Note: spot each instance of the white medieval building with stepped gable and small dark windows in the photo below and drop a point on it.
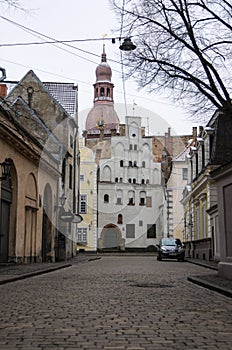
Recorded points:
(131, 197)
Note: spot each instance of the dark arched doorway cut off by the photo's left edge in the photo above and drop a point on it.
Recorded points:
(5, 207)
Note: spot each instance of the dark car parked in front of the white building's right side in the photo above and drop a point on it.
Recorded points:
(170, 248)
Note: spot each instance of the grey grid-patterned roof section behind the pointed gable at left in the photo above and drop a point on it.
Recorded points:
(65, 94)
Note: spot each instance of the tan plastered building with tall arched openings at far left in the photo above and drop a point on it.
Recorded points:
(28, 233)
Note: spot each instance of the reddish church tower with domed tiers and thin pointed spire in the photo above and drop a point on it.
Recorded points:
(102, 118)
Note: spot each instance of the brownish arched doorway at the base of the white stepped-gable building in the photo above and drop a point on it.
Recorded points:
(111, 237)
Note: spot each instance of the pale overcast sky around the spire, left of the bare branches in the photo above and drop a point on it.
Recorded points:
(76, 20)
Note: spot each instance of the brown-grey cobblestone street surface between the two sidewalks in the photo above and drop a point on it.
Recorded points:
(115, 303)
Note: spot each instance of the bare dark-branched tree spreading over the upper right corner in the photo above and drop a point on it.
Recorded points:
(184, 47)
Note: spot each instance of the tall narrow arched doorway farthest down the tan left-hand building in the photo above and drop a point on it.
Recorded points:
(47, 225)
